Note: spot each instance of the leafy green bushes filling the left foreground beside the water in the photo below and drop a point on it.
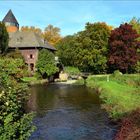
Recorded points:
(14, 122)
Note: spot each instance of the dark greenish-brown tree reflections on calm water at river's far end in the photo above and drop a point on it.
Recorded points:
(44, 98)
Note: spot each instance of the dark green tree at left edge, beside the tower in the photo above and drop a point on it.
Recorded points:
(4, 38)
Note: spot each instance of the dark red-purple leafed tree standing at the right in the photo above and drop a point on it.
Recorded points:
(123, 48)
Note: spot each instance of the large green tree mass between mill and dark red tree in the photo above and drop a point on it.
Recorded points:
(87, 49)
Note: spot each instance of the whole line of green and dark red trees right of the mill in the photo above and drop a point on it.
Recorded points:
(101, 49)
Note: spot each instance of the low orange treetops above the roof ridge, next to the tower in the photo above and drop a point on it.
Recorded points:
(33, 29)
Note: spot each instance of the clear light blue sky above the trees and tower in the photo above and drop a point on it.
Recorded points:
(69, 15)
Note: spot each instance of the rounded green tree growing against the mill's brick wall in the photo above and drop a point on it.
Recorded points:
(46, 63)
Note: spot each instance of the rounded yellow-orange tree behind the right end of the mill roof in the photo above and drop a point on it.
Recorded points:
(52, 34)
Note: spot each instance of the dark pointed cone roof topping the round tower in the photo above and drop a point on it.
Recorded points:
(10, 18)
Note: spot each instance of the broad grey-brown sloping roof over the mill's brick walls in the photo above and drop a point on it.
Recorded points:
(27, 39)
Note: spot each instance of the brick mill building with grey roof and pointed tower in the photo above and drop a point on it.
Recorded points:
(27, 42)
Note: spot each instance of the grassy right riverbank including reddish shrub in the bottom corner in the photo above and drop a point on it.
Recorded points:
(121, 99)
